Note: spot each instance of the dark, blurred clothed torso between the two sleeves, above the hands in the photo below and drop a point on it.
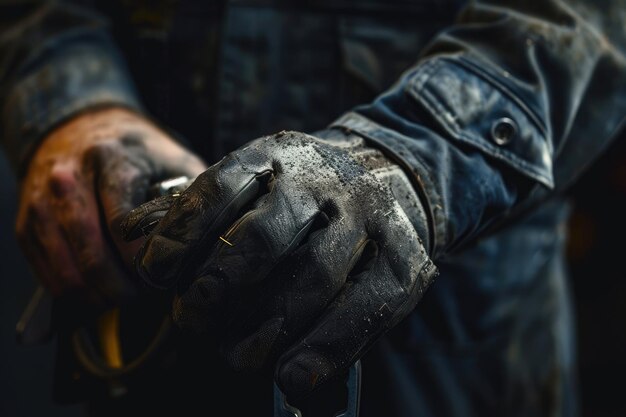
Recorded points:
(224, 73)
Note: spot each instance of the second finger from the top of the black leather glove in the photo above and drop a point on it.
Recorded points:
(245, 254)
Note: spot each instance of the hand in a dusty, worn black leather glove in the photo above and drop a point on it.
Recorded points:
(298, 250)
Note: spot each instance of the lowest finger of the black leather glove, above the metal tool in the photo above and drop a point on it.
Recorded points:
(367, 307)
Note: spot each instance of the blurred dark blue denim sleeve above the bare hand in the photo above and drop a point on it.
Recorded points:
(56, 60)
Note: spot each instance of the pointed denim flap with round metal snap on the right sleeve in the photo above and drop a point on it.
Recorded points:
(476, 107)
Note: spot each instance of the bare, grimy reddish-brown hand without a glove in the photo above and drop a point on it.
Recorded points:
(83, 179)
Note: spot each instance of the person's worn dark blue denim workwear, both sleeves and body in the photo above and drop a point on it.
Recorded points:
(493, 107)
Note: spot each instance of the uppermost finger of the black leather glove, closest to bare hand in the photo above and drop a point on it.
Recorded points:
(200, 215)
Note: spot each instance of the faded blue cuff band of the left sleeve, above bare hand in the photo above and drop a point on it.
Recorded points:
(58, 85)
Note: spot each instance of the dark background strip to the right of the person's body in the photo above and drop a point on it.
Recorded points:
(598, 268)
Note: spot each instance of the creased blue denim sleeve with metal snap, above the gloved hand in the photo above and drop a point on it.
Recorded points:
(502, 111)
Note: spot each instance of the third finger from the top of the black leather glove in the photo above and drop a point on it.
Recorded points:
(303, 287)
